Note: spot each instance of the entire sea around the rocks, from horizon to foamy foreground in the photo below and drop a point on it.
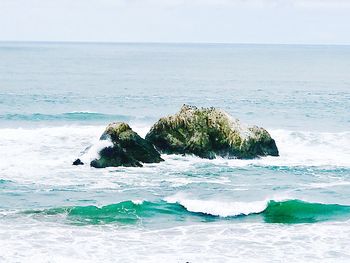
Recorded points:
(57, 98)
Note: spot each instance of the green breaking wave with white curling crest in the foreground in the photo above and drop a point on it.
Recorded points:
(131, 212)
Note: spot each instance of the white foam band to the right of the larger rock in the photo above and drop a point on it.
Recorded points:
(297, 148)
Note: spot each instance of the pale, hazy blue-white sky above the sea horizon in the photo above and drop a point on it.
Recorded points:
(208, 21)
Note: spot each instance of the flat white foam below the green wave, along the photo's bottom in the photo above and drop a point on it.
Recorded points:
(34, 241)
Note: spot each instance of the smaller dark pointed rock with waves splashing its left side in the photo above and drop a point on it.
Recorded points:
(127, 149)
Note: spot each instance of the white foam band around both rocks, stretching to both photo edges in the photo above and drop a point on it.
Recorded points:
(56, 147)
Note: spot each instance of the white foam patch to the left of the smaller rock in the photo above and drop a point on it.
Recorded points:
(32, 154)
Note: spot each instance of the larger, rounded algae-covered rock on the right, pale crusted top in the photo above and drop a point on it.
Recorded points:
(210, 132)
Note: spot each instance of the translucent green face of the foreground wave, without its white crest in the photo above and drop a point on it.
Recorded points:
(128, 212)
